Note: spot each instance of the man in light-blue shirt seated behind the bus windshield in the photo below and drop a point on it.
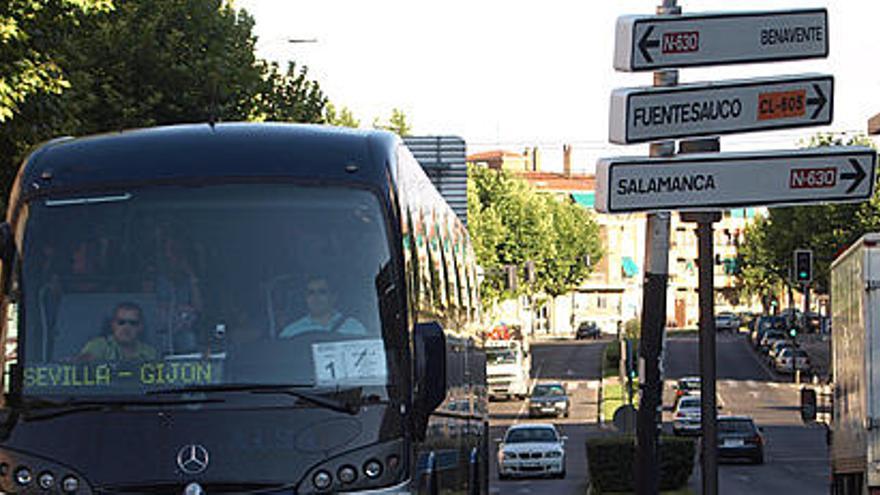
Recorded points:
(323, 316)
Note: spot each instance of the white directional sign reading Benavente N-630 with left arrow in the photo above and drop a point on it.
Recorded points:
(656, 42)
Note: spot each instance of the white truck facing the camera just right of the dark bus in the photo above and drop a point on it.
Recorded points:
(508, 366)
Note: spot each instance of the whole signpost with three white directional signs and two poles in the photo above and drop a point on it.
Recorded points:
(702, 183)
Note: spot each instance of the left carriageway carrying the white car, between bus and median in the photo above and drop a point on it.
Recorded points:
(577, 365)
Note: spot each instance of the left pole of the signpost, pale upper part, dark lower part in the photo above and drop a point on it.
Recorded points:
(653, 322)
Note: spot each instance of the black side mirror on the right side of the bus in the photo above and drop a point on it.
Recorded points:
(429, 349)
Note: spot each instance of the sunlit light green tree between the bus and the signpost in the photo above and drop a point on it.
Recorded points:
(511, 223)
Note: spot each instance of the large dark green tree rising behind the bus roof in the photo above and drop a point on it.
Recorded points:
(153, 62)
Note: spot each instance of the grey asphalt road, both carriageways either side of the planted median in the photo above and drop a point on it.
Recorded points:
(796, 456)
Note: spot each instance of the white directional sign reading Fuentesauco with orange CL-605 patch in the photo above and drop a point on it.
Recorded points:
(655, 113)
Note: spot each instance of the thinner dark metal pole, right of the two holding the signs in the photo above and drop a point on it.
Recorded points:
(708, 406)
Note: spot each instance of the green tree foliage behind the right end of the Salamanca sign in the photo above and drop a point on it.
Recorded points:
(826, 229)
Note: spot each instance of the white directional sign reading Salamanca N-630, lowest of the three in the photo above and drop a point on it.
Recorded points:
(735, 180)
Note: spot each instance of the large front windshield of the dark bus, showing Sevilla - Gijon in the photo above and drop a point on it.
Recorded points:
(177, 288)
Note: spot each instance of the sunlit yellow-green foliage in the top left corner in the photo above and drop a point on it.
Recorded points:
(28, 29)
